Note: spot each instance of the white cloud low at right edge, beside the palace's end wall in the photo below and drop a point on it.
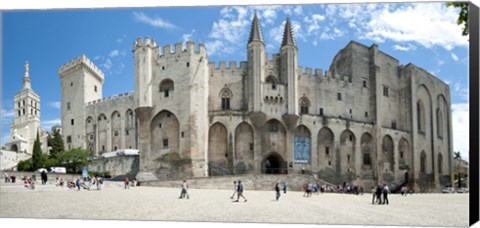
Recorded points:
(460, 125)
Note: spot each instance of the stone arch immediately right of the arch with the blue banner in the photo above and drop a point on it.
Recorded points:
(326, 147)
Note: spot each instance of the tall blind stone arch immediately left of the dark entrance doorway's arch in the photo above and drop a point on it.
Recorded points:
(244, 148)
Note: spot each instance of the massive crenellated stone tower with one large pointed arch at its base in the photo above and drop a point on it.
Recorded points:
(171, 92)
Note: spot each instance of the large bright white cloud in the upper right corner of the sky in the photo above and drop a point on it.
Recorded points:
(429, 24)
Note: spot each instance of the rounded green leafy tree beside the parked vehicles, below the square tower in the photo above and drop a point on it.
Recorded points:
(74, 160)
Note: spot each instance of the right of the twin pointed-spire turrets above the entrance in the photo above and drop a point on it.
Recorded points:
(288, 67)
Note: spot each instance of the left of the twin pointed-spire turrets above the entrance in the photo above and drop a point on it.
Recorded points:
(256, 65)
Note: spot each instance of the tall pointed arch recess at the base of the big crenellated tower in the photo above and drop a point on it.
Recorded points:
(164, 134)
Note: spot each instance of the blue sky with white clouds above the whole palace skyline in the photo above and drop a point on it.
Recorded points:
(422, 33)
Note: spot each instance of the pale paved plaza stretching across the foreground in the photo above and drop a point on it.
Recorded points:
(162, 204)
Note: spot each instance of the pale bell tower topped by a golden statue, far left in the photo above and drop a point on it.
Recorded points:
(26, 125)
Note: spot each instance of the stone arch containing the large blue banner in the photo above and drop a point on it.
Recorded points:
(302, 141)
